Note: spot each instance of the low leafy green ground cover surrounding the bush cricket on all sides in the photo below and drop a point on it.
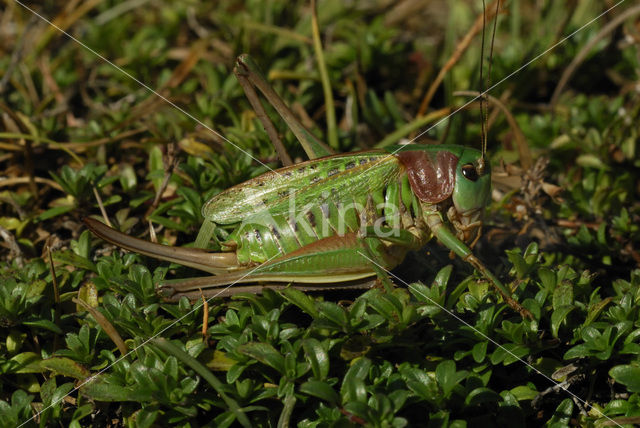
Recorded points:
(562, 229)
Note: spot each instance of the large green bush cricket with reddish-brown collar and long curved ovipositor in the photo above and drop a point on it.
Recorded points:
(334, 221)
